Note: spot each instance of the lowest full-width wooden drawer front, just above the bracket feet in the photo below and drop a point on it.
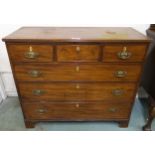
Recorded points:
(77, 111)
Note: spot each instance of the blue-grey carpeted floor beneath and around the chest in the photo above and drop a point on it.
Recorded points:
(11, 119)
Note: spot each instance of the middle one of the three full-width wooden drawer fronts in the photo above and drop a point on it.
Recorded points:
(77, 91)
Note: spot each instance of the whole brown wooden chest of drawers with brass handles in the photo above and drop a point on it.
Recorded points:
(76, 74)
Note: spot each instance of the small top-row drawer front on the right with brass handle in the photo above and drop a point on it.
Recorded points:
(124, 53)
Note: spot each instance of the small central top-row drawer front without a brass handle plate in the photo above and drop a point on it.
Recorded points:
(68, 53)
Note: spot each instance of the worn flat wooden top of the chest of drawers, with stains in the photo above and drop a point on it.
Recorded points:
(76, 34)
